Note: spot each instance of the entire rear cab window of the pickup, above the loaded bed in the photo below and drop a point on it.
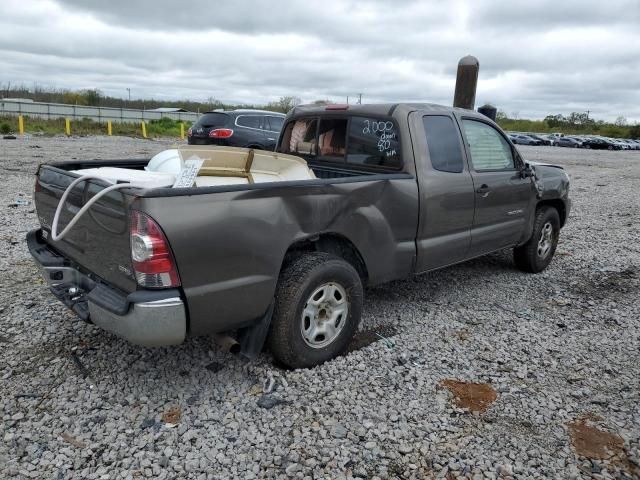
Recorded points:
(352, 140)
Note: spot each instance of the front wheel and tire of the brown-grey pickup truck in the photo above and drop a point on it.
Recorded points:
(535, 255)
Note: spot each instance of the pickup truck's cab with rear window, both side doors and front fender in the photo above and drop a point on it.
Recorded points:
(475, 193)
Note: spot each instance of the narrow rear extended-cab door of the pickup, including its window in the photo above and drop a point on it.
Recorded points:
(446, 191)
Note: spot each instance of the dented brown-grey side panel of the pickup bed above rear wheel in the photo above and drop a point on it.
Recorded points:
(229, 246)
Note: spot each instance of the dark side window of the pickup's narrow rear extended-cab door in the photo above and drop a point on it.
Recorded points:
(443, 143)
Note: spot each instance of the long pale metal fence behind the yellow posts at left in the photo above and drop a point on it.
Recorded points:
(99, 114)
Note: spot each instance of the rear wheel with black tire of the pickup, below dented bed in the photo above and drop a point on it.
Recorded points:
(317, 309)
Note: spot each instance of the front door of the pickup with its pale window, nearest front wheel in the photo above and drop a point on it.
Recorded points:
(502, 195)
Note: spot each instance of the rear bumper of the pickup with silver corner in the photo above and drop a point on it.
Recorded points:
(150, 317)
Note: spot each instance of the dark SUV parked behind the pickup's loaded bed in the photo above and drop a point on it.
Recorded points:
(237, 128)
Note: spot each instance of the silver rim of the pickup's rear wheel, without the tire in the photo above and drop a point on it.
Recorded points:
(324, 315)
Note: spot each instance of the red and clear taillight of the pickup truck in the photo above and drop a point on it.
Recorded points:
(151, 256)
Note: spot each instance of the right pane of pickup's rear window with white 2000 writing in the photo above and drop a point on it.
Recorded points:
(374, 142)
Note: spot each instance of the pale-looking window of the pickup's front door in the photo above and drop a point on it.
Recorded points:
(489, 150)
